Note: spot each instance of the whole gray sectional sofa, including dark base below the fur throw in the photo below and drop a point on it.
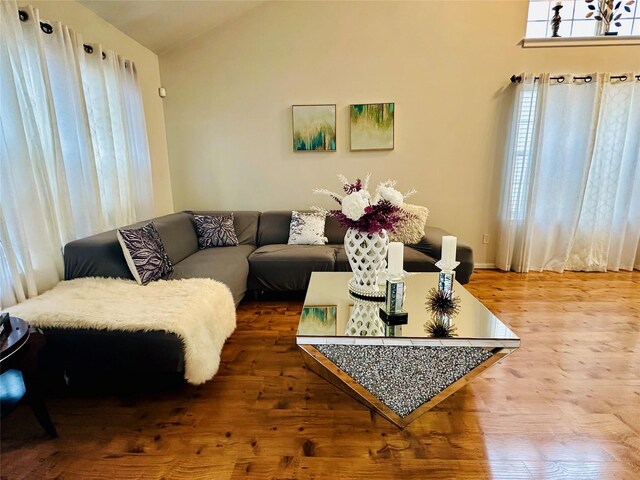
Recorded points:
(261, 262)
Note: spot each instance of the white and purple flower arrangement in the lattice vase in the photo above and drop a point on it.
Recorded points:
(362, 211)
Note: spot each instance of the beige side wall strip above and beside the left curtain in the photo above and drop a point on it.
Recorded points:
(96, 30)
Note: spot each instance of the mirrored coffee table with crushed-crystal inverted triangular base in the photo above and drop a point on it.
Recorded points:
(398, 371)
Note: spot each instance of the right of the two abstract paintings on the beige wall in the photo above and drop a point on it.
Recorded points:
(372, 126)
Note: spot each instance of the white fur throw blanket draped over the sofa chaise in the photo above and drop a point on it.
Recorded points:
(200, 311)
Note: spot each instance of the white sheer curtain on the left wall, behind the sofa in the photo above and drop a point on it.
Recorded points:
(74, 158)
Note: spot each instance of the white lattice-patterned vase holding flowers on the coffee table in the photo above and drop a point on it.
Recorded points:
(367, 254)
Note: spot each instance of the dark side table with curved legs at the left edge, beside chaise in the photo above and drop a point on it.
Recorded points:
(20, 352)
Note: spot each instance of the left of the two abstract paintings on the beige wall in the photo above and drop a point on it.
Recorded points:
(314, 127)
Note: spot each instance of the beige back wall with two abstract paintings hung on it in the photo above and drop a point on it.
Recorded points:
(446, 66)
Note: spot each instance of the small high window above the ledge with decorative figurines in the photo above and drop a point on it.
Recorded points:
(574, 21)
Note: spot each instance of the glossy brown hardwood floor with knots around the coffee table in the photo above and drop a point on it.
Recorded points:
(566, 405)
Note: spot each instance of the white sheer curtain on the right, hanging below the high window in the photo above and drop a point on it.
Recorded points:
(571, 197)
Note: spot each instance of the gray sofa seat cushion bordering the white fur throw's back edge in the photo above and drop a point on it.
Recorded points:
(228, 265)
